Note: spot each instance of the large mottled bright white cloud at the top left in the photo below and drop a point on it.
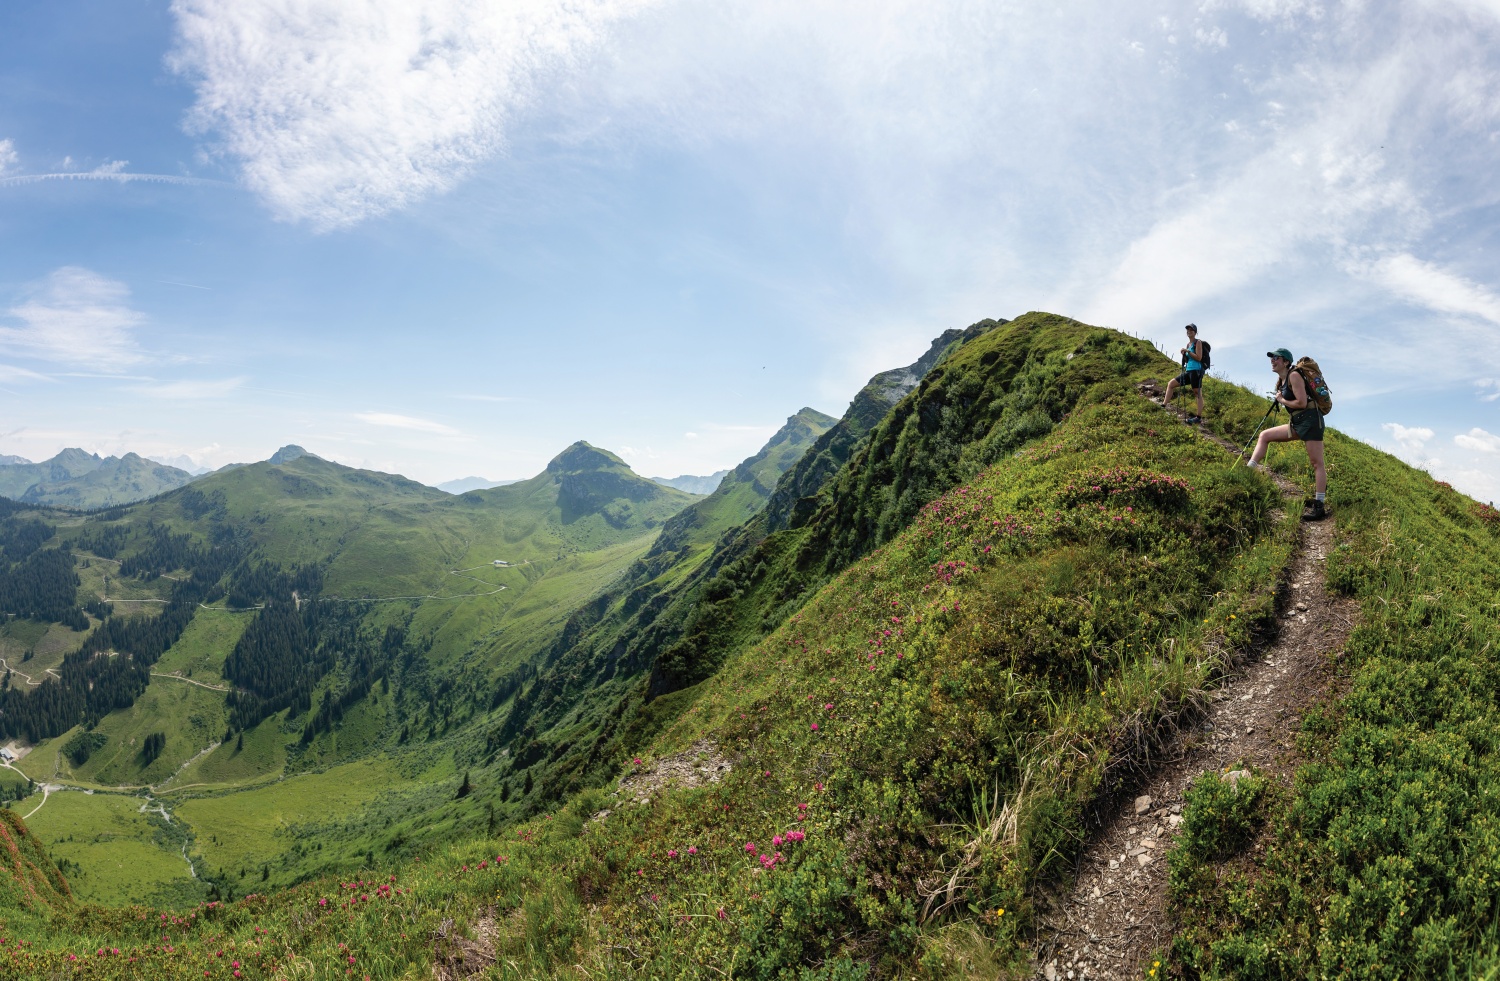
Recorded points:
(340, 110)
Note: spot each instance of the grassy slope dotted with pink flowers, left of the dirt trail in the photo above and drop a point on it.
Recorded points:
(904, 724)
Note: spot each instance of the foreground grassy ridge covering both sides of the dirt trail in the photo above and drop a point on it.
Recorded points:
(1042, 575)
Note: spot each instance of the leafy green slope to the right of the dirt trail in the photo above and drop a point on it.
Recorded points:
(1385, 862)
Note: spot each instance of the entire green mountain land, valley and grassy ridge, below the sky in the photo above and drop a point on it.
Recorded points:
(868, 710)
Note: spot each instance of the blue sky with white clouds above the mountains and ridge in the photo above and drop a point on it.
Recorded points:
(452, 238)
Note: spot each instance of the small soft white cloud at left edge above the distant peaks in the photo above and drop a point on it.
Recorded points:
(77, 319)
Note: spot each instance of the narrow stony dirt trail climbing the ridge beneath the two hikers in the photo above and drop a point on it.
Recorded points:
(1115, 914)
